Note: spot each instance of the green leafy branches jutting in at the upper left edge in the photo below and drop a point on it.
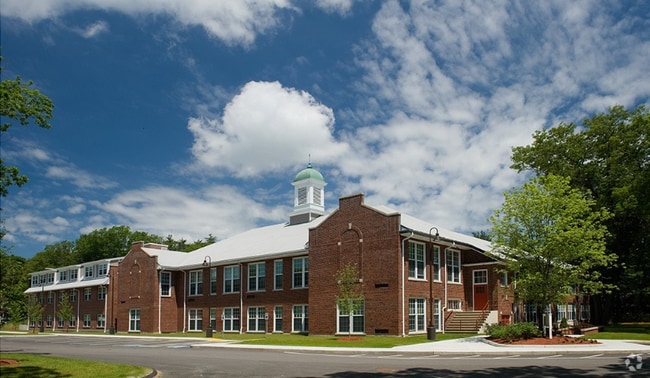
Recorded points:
(23, 104)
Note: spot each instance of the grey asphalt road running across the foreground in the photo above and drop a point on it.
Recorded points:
(177, 358)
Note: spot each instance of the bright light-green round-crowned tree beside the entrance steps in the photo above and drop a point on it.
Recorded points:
(549, 236)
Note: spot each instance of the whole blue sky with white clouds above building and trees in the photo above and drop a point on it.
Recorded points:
(192, 117)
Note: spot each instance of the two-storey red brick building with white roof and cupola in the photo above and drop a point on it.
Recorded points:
(280, 278)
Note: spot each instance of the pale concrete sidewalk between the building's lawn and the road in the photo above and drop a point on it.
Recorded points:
(466, 346)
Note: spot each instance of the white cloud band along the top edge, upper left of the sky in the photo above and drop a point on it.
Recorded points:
(233, 22)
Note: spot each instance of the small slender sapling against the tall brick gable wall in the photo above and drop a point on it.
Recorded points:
(350, 299)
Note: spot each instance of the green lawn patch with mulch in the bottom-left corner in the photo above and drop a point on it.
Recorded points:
(31, 365)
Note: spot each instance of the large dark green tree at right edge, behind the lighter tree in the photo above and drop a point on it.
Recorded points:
(609, 158)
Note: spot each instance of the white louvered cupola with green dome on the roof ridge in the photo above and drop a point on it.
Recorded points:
(309, 196)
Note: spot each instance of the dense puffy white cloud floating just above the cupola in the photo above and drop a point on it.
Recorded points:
(264, 129)
